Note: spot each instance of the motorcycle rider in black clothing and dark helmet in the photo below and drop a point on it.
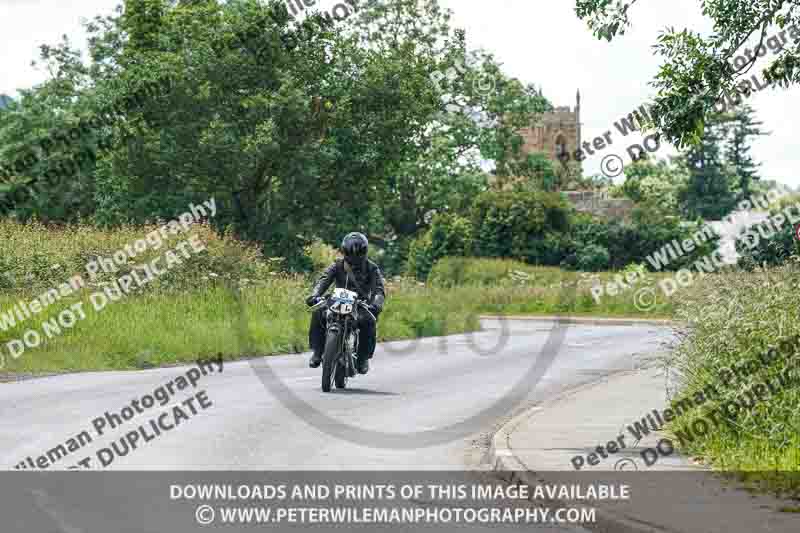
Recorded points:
(357, 273)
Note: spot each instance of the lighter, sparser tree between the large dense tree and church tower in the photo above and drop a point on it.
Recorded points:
(474, 110)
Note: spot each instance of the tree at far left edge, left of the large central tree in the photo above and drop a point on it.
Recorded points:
(46, 170)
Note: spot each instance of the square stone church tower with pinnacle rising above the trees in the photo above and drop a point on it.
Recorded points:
(558, 135)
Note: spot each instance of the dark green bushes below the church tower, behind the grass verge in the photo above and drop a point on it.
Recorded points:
(540, 228)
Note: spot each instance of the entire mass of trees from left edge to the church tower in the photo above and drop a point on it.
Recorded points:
(295, 142)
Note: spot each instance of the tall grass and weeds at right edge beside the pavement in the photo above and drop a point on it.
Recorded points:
(733, 319)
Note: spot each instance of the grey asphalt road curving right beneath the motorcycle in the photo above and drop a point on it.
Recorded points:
(270, 414)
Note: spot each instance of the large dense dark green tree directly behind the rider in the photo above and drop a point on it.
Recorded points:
(293, 142)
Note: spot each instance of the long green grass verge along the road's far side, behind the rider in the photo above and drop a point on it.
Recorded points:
(166, 327)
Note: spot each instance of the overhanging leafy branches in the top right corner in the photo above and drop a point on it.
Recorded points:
(697, 72)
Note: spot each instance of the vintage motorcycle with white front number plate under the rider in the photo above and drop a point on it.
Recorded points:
(341, 337)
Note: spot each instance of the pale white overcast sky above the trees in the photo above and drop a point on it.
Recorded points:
(540, 42)
